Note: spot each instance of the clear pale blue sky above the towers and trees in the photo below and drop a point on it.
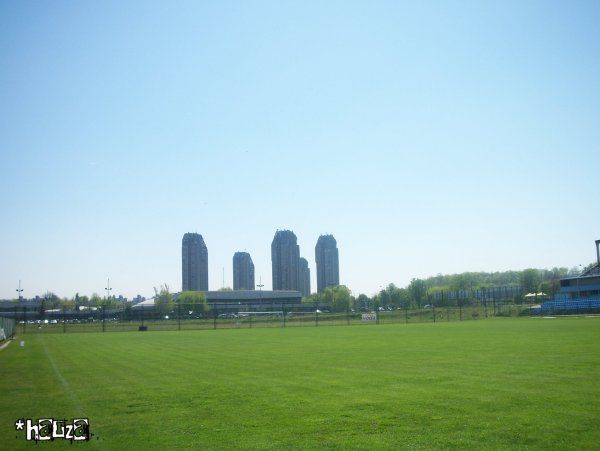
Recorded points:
(428, 137)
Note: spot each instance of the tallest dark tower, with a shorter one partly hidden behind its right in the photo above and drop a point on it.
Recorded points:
(285, 261)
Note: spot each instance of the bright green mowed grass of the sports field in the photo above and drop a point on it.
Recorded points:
(498, 383)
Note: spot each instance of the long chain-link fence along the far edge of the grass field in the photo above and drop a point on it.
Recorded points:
(215, 316)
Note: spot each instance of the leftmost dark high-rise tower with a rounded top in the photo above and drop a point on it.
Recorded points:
(194, 263)
